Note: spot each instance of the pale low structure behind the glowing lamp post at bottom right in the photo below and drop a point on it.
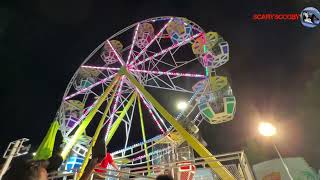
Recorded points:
(274, 170)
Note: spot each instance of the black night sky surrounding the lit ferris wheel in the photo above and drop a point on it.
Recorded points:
(42, 43)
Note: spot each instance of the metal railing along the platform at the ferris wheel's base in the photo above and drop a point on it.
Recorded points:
(236, 163)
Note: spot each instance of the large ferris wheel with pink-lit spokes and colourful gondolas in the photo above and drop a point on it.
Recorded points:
(125, 89)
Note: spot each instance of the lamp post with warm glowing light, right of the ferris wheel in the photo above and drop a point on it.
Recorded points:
(268, 130)
